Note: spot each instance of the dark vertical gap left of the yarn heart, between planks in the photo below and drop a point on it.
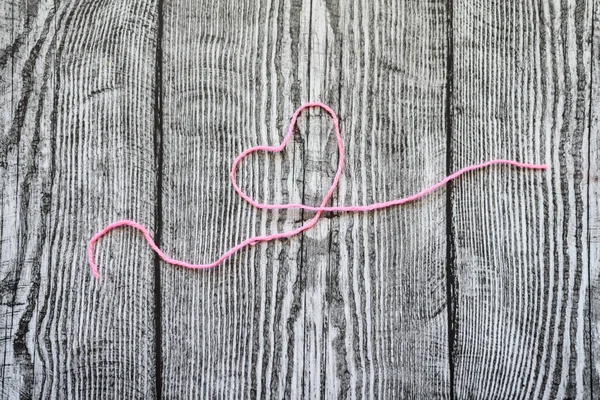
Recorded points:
(158, 154)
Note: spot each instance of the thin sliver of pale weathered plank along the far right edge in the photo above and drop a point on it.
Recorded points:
(593, 181)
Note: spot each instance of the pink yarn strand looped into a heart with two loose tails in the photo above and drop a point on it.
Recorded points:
(318, 210)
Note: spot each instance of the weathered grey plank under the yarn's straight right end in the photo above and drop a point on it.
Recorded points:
(521, 91)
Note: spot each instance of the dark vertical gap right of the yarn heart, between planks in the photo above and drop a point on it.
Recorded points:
(450, 250)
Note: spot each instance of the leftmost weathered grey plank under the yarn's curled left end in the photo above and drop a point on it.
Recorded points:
(76, 152)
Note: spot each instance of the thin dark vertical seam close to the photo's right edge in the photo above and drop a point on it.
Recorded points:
(589, 230)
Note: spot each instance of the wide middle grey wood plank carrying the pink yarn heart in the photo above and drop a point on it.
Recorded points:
(355, 307)
